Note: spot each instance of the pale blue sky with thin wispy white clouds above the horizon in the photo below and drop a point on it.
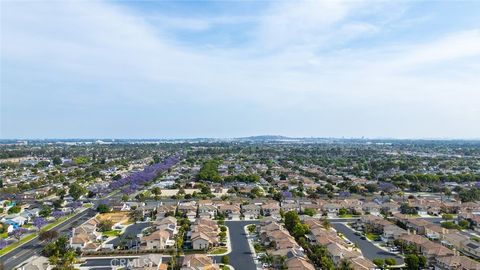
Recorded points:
(160, 69)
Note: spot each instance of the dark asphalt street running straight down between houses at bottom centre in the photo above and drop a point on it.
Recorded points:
(240, 256)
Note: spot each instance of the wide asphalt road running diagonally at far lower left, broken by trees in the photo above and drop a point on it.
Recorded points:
(34, 247)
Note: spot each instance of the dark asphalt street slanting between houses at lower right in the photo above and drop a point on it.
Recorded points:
(369, 250)
